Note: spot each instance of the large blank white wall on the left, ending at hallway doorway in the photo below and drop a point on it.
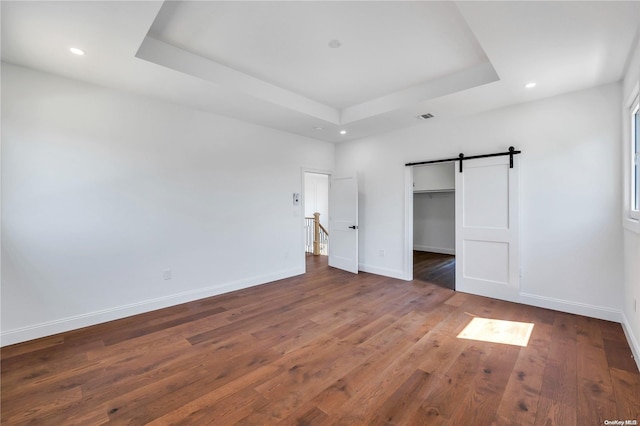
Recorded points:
(103, 191)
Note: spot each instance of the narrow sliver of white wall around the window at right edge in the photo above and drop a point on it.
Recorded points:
(631, 230)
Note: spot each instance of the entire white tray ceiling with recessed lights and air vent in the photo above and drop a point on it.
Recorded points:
(270, 62)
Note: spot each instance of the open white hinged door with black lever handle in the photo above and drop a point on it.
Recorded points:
(343, 223)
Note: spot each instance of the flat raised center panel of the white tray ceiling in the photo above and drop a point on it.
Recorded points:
(385, 47)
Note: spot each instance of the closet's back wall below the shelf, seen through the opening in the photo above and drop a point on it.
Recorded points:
(434, 224)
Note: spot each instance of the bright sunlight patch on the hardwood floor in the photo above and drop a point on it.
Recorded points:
(497, 331)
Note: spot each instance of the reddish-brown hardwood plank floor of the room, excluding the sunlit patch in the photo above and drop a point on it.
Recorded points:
(325, 348)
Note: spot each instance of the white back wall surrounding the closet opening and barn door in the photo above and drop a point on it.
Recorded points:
(571, 238)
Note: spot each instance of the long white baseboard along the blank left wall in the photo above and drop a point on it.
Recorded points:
(49, 328)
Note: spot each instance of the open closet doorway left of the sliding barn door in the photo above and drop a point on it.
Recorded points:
(434, 224)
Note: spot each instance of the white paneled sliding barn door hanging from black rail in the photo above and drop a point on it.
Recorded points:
(487, 248)
